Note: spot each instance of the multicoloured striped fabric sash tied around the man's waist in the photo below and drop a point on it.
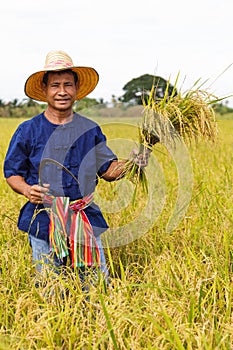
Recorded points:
(78, 240)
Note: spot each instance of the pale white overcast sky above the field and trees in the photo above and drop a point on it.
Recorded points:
(122, 40)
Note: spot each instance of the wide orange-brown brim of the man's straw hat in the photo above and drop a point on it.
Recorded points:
(87, 80)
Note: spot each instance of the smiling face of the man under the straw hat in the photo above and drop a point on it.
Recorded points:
(60, 91)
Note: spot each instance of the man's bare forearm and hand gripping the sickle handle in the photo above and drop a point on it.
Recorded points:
(33, 193)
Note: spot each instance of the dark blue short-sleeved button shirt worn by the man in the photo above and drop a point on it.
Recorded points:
(79, 145)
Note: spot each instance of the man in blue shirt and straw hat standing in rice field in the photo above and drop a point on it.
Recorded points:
(54, 160)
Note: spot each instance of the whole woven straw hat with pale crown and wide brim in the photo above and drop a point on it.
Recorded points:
(56, 61)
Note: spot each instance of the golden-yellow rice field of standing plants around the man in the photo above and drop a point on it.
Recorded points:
(168, 290)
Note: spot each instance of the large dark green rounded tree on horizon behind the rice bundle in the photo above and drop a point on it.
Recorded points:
(139, 88)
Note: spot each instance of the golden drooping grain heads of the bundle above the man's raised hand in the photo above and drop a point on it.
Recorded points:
(191, 115)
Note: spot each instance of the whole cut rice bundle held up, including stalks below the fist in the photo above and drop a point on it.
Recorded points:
(174, 117)
